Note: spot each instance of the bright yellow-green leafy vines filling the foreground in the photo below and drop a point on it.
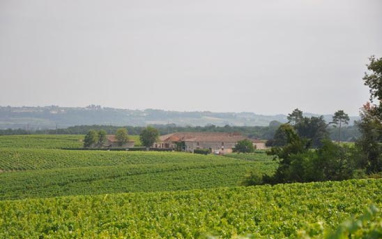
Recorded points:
(281, 211)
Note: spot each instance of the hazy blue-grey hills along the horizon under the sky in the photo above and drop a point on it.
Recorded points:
(50, 117)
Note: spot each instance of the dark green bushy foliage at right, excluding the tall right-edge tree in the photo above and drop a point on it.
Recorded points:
(299, 164)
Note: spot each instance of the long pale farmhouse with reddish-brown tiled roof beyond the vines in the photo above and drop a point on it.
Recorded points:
(189, 141)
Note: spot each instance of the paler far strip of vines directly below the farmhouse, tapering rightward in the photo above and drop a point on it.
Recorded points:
(37, 159)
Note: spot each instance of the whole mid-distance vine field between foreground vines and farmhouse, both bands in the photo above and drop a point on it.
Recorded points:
(48, 173)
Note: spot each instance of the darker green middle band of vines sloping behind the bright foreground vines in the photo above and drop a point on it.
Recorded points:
(125, 178)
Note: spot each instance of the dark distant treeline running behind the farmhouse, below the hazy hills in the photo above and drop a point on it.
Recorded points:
(349, 133)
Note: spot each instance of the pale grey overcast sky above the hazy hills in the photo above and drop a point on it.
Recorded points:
(266, 57)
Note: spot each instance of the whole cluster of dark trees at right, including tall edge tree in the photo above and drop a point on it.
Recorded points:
(305, 153)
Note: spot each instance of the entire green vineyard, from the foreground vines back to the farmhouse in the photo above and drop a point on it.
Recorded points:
(46, 192)
